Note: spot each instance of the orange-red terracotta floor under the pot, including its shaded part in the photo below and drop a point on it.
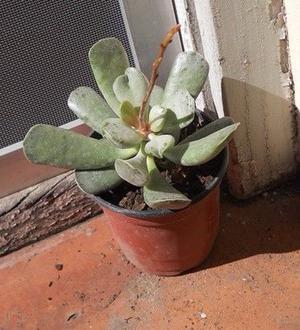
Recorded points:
(79, 279)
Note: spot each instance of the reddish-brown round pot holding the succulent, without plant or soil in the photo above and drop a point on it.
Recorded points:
(165, 242)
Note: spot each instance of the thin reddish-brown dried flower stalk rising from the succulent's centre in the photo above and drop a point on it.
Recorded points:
(143, 127)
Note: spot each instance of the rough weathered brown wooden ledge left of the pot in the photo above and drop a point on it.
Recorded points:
(42, 210)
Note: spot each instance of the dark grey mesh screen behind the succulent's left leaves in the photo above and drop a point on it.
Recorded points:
(44, 56)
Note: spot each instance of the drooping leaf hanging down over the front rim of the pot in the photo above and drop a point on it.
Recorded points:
(158, 193)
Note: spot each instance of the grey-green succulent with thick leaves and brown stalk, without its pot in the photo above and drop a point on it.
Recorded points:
(139, 123)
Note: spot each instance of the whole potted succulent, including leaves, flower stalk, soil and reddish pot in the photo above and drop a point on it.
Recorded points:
(147, 142)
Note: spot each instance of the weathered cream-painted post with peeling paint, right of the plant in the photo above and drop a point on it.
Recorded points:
(246, 44)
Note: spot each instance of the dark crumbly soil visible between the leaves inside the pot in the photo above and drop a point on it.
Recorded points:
(190, 181)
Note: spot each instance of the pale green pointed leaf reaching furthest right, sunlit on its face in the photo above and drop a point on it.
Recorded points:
(201, 151)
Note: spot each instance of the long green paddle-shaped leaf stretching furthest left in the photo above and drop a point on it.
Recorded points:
(45, 144)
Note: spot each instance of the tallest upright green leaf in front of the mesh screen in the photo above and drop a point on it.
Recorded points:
(108, 60)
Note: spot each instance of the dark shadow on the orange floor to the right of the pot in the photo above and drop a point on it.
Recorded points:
(265, 225)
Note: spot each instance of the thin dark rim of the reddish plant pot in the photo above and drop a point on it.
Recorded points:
(163, 212)
